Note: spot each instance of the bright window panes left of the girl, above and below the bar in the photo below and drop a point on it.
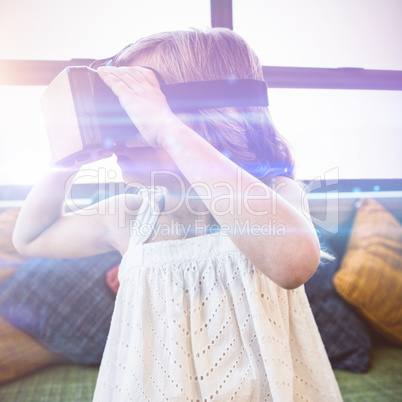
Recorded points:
(62, 30)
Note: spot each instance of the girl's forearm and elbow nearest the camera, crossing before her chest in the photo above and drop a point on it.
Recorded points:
(271, 226)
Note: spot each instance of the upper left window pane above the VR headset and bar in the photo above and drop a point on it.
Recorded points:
(62, 30)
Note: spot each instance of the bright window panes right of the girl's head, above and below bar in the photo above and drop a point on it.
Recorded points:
(357, 131)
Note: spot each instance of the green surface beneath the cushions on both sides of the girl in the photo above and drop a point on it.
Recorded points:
(383, 383)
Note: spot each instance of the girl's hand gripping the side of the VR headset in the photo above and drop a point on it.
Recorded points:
(140, 96)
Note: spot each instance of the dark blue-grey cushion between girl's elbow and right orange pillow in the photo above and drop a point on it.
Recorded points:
(345, 336)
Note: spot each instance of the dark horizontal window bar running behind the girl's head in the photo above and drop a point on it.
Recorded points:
(42, 72)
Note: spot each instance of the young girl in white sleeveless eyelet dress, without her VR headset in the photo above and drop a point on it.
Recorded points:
(211, 304)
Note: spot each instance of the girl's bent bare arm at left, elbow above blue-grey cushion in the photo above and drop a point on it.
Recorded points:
(44, 230)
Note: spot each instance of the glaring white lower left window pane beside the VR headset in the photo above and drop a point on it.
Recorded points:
(24, 149)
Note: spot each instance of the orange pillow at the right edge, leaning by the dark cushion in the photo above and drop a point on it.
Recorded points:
(370, 276)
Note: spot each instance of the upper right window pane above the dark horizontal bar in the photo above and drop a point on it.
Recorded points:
(322, 33)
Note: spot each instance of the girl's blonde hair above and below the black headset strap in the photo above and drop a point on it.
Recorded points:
(245, 135)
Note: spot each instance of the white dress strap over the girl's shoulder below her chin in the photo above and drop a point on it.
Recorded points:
(142, 227)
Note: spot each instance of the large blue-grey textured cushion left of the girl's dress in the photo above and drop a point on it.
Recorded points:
(63, 303)
